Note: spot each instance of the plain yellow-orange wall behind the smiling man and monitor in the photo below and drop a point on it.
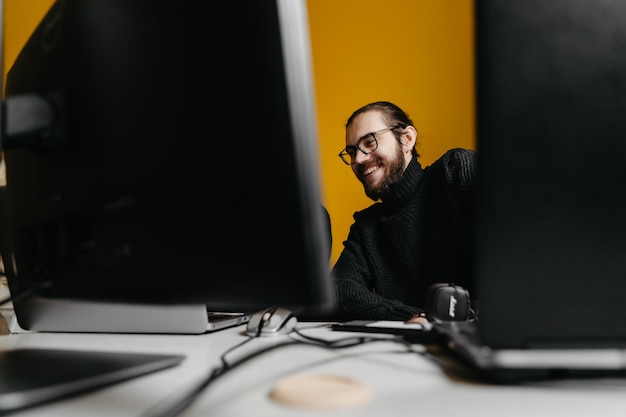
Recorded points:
(415, 53)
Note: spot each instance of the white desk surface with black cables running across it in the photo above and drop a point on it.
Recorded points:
(403, 384)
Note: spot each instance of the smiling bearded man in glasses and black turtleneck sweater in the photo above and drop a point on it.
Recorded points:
(418, 231)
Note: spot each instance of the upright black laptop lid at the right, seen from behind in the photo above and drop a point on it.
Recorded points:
(551, 141)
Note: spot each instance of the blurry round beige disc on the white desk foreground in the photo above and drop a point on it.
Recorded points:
(320, 391)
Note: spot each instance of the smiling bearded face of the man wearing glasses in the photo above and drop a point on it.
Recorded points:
(380, 170)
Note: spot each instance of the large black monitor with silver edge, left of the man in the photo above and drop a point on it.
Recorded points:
(159, 153)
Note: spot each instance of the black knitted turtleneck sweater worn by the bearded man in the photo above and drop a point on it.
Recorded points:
(419, 235)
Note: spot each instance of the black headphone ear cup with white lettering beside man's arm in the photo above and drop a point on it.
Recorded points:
(448, 302)
